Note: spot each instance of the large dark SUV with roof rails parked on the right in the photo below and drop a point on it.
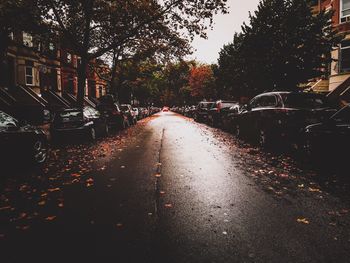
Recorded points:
(281, 116)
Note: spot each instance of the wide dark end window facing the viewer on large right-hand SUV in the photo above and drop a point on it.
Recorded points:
(304, 101)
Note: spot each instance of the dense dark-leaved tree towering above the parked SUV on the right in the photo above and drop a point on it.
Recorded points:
(284, 45)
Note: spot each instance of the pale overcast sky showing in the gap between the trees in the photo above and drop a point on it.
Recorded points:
(207, 51)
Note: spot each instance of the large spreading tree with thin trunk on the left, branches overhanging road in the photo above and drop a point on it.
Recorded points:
(96, 27)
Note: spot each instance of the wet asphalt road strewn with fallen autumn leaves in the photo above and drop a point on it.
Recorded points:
(171, 190)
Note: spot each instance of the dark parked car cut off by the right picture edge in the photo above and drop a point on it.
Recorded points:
(330, 138)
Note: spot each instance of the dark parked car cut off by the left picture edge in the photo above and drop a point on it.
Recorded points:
(21, 142)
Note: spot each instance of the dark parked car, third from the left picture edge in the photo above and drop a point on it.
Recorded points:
(113, 114)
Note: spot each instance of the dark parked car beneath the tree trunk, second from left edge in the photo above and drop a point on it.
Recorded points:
(86, 122)
